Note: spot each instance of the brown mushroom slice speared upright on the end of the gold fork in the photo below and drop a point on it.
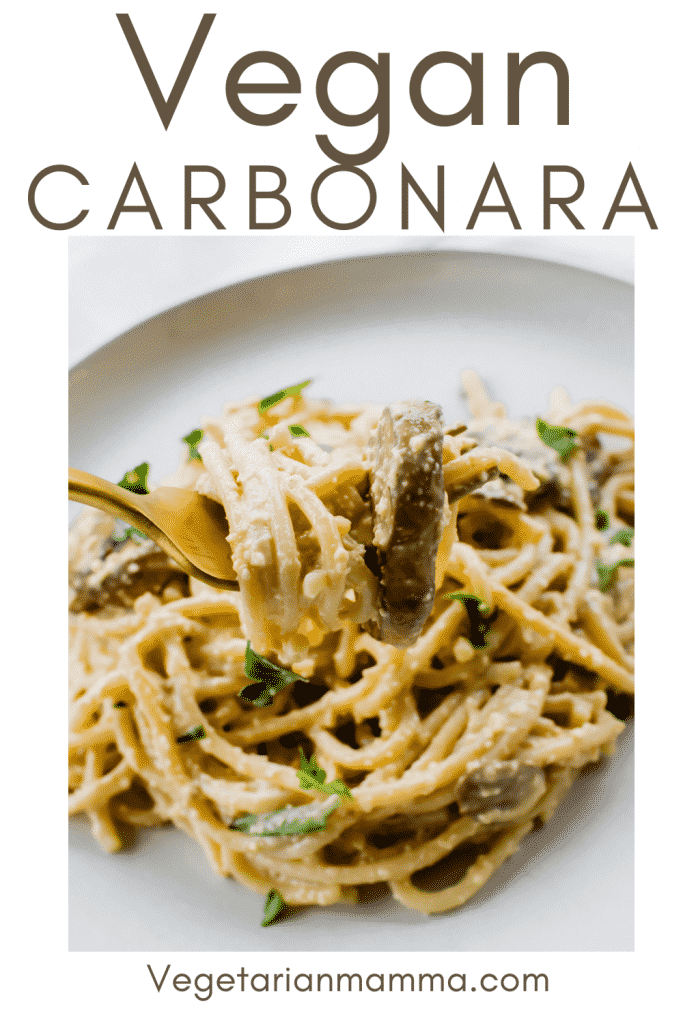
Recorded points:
(407, 493)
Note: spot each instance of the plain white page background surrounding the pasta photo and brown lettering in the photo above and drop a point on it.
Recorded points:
(73, 96)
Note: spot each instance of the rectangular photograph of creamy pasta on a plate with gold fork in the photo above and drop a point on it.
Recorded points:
(352, 561)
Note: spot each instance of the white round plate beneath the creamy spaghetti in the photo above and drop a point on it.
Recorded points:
(376, 329)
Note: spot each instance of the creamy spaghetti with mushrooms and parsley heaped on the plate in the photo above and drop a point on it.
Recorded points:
(432, 637)
